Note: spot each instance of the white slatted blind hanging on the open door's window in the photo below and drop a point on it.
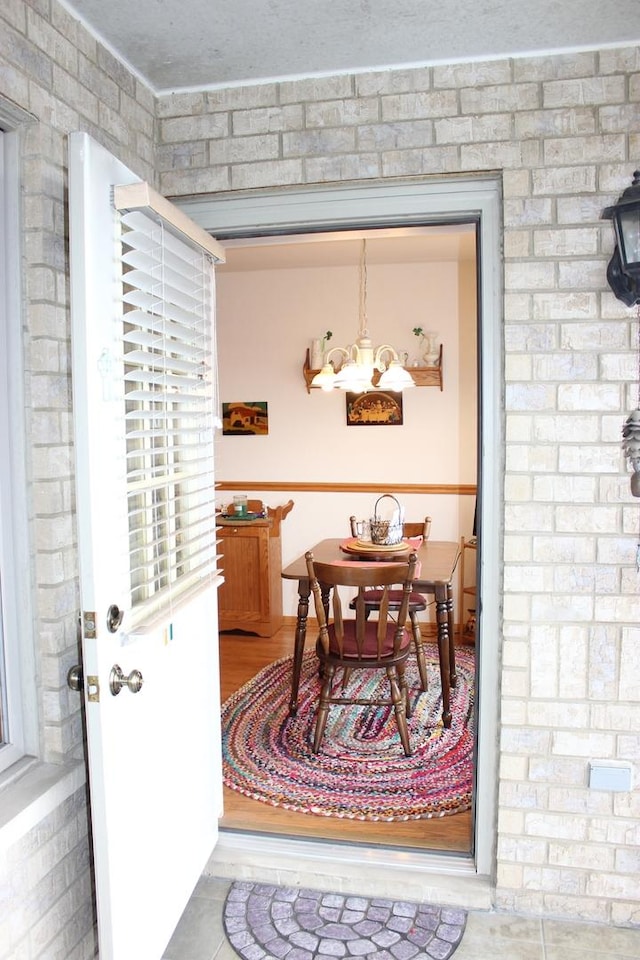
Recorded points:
(170, 412)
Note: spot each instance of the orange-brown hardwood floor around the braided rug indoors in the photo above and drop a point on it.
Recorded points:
(241, 657)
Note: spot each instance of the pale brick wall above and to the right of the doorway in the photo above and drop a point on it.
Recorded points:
(564, 131)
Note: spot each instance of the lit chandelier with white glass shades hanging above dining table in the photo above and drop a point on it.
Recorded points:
(357, 363)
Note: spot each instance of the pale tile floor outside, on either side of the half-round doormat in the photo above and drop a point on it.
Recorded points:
(488, 936)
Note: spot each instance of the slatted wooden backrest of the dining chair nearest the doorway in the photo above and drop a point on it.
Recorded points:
(372, 637)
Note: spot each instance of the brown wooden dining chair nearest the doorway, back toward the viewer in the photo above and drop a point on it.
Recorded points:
(382, 644)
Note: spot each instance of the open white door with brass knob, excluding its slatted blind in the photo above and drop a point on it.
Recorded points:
(154, 747)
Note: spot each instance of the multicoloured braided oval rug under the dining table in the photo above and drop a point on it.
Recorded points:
(361, 772)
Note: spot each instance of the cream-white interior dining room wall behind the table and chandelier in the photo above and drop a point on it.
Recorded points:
(266, 321)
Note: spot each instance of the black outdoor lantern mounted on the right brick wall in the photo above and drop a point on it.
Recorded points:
(623, 272)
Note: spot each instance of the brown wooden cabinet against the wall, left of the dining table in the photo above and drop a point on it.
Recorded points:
(251, 558)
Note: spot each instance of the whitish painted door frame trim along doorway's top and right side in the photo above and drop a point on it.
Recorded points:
(404, 203)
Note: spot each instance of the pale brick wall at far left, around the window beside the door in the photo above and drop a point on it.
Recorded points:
(61, 80)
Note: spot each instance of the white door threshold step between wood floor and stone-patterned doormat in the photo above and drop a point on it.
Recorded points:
(346, 868)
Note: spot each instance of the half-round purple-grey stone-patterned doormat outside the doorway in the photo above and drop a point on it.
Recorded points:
(266, 921)
